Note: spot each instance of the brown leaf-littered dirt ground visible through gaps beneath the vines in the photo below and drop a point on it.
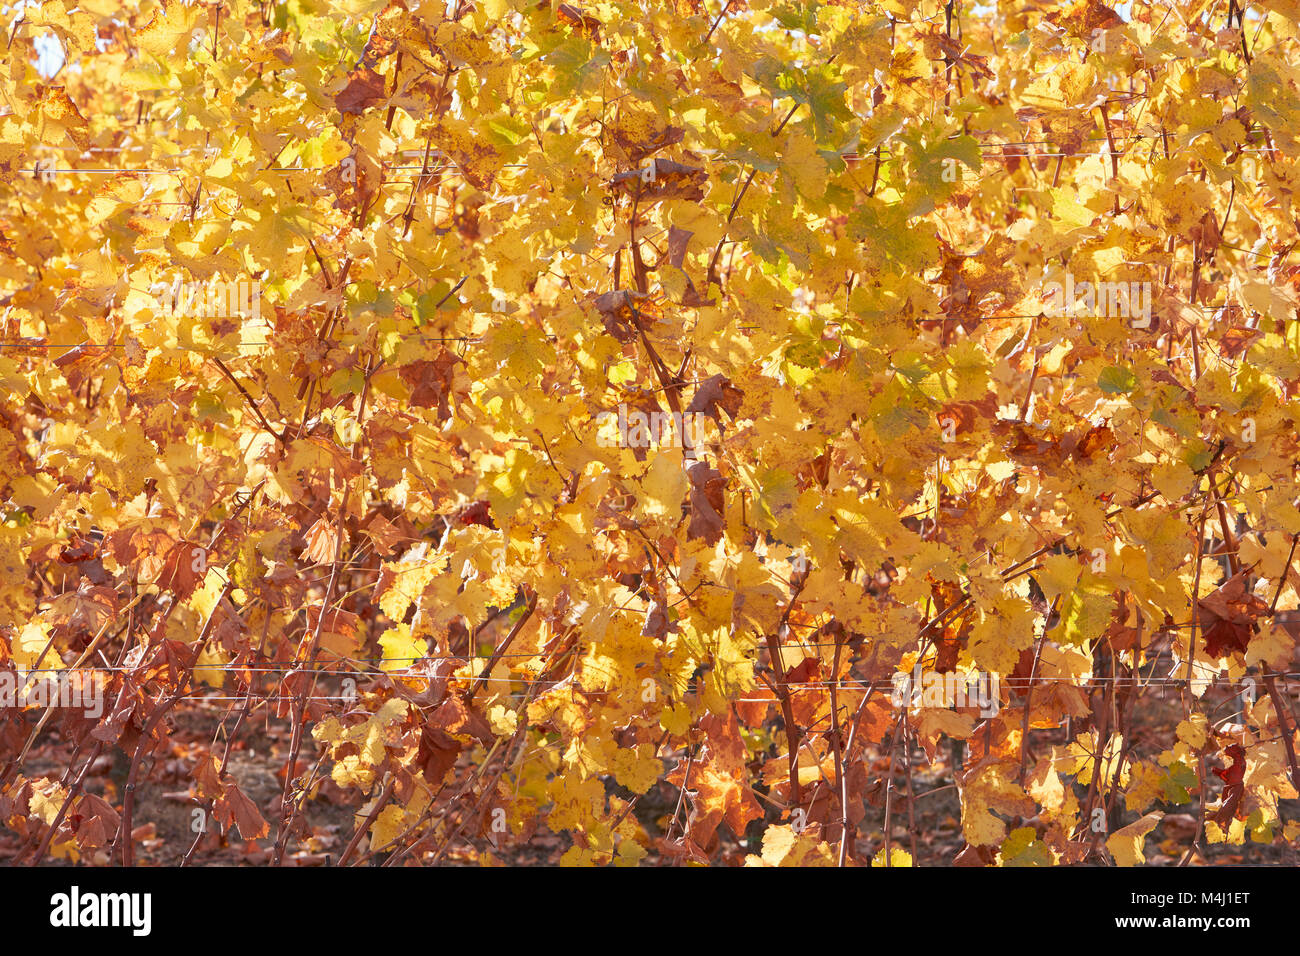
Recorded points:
(167, 820)
